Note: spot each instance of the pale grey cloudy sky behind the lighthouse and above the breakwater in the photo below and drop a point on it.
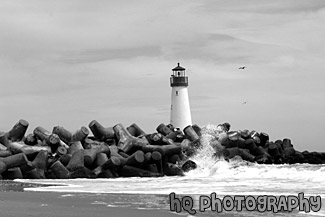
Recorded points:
(66, 63)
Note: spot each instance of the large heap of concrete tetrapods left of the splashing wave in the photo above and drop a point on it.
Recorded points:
(97, 151)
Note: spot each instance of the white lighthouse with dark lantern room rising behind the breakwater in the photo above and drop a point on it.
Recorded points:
(180, 113)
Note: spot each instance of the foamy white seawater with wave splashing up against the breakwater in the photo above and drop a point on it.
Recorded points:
(235, 177)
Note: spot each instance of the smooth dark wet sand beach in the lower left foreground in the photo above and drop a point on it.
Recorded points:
(14, 202)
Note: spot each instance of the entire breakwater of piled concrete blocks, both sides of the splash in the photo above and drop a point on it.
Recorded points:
(98, 151)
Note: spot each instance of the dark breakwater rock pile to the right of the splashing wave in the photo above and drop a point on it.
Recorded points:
(256, 146)
